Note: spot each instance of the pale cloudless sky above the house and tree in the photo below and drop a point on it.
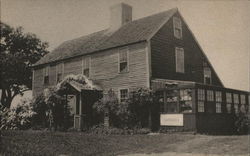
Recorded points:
(221, 27)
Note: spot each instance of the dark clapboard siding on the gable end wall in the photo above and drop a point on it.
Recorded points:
(163, 45)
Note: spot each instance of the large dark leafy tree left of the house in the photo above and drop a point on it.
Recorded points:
(18, 52)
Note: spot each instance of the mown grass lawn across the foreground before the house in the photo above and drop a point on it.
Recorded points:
(78, 143)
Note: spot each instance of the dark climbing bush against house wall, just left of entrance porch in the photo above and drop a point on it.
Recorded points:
(52, 111)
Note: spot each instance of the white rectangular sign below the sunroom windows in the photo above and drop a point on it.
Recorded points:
(171, 119)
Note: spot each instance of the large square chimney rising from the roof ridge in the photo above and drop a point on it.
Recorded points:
(120, 14)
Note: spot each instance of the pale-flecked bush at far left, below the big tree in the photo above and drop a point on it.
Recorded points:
(18, 117)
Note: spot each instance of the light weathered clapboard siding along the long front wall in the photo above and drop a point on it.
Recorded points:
(104, 70)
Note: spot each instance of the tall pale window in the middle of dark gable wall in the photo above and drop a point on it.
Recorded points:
(179, 58)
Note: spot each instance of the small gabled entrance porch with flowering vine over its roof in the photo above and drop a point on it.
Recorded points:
(80, 97)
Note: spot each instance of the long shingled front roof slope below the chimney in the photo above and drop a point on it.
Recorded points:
(132, 32)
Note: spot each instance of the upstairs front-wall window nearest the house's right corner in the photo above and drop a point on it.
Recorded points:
(123, 60)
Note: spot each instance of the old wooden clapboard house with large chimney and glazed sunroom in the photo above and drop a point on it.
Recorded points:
(158, 52)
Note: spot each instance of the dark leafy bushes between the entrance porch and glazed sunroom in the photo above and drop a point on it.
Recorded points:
(134, 112)
